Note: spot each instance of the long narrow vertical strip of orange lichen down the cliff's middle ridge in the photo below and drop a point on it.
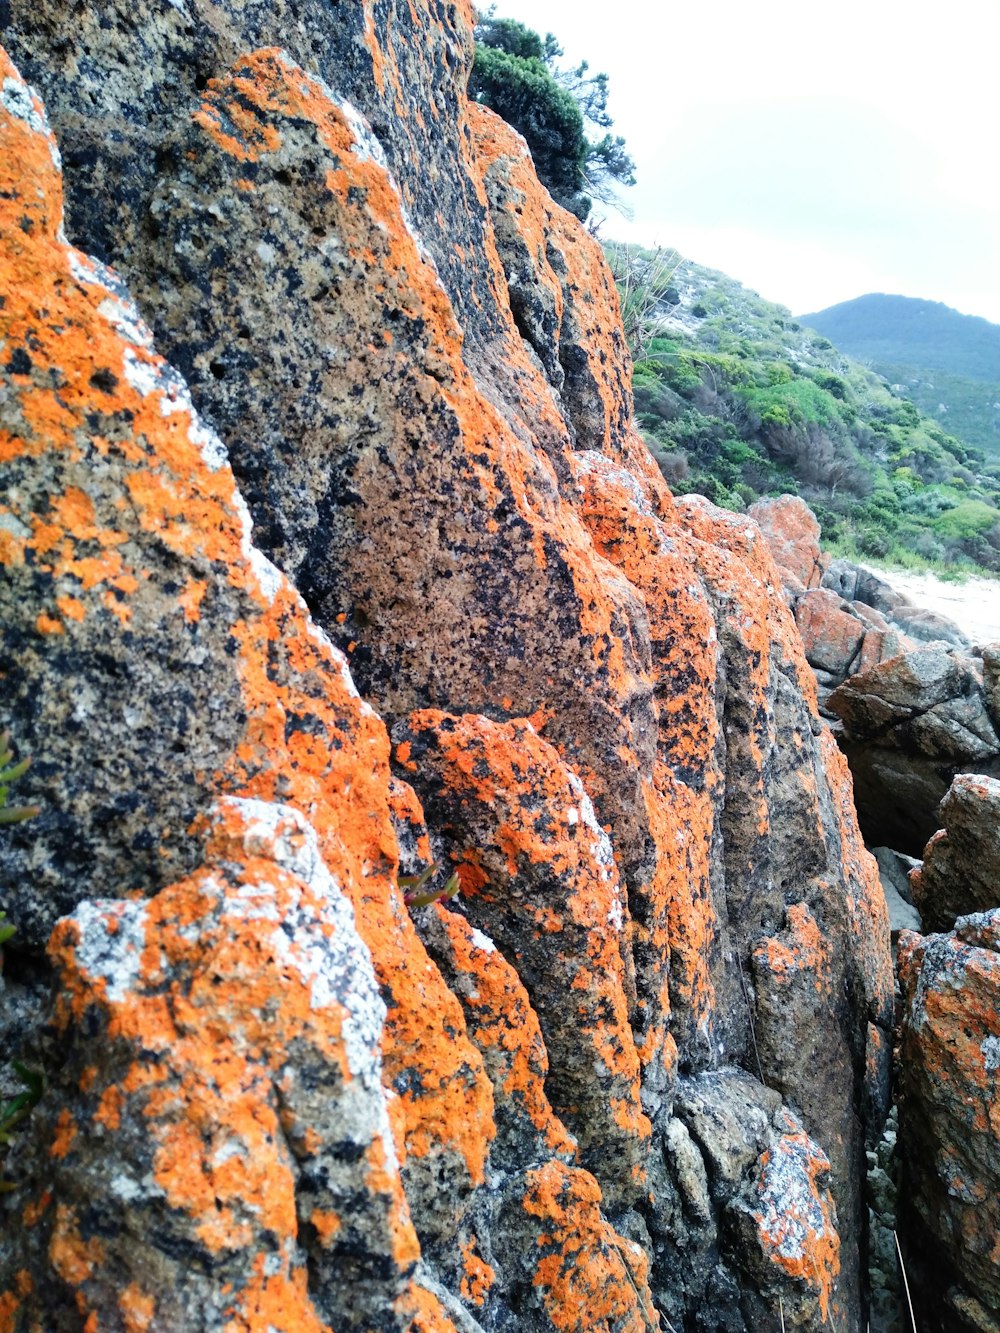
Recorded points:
(675, 906)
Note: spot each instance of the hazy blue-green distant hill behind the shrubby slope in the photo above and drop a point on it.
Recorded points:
(949, 365)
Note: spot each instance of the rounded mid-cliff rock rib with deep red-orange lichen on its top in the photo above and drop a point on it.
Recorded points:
(551, 875)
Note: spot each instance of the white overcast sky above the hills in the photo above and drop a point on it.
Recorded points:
(811, 151)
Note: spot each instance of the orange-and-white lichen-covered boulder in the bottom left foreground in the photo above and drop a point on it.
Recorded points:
(215, 1147)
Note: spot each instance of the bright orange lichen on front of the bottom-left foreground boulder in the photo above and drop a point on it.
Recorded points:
(223, 996)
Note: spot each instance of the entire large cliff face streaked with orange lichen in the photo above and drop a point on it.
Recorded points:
(630, 1070)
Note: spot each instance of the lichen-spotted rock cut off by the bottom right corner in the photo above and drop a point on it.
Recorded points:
(950, 1124)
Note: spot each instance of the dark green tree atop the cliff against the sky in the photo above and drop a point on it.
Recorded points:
(517, 75)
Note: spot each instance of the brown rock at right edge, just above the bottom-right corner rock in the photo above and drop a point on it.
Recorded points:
(962, 863)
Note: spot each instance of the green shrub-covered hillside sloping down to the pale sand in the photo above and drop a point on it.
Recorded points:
(738, 402)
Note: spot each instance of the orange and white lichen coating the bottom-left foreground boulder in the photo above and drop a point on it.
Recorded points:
(222, 1006)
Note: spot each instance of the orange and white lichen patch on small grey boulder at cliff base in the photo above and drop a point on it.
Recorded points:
(797, 1219)
